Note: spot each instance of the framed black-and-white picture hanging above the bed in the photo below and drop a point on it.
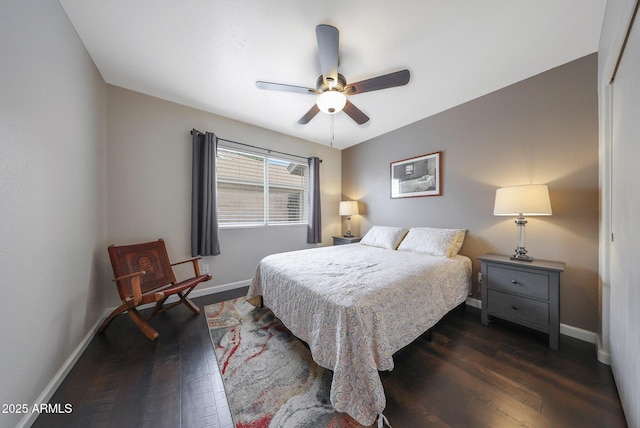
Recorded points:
(419, 176)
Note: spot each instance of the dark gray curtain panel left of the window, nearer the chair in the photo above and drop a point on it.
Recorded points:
(204, 204)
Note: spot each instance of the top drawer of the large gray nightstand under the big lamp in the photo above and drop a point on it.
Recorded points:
(518, 281)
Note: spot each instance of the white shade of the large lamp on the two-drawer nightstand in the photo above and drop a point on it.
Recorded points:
(527, 200)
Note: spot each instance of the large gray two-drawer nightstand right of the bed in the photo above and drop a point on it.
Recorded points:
(525, 293)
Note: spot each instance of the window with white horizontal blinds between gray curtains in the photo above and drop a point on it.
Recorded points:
(260, 190)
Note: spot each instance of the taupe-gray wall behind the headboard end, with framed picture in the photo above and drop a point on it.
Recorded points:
(543, 130)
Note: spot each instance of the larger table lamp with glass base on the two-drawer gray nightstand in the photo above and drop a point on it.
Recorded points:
(520, 201)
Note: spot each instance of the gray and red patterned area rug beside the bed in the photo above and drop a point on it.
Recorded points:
(269, 376)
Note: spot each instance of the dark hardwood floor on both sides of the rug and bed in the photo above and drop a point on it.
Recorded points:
(469, 375)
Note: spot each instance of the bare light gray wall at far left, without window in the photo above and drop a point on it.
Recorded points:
(52, 197)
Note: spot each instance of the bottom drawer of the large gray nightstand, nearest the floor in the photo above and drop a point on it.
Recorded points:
(519, 309)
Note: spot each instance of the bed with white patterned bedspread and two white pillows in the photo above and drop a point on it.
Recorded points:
(356, 305)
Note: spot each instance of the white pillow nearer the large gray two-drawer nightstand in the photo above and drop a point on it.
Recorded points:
(436, 242)
